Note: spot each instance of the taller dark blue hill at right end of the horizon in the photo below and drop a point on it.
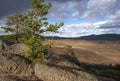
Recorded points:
(109, 37)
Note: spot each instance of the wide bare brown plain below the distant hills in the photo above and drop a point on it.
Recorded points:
(95, 52)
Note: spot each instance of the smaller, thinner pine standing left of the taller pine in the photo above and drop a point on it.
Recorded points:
(14, 25)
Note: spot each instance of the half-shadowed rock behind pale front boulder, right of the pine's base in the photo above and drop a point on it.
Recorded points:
(65, 60)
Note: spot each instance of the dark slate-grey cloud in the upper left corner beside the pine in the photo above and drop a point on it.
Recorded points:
(8, 7)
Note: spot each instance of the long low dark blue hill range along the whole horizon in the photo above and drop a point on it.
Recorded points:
(107, 37)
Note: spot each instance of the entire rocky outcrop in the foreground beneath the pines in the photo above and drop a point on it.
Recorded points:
(14, 67)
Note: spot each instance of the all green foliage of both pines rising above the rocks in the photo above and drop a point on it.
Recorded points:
(28, 29)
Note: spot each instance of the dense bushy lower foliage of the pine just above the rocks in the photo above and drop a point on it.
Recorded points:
(36, 50)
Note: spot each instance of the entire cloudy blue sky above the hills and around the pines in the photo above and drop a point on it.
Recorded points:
(81, 17)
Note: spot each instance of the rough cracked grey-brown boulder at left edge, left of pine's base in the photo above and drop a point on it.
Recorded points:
(11, 64)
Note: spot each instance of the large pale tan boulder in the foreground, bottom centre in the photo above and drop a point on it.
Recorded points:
(57, 73)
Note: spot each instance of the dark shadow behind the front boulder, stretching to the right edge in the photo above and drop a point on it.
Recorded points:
(108, 72)
